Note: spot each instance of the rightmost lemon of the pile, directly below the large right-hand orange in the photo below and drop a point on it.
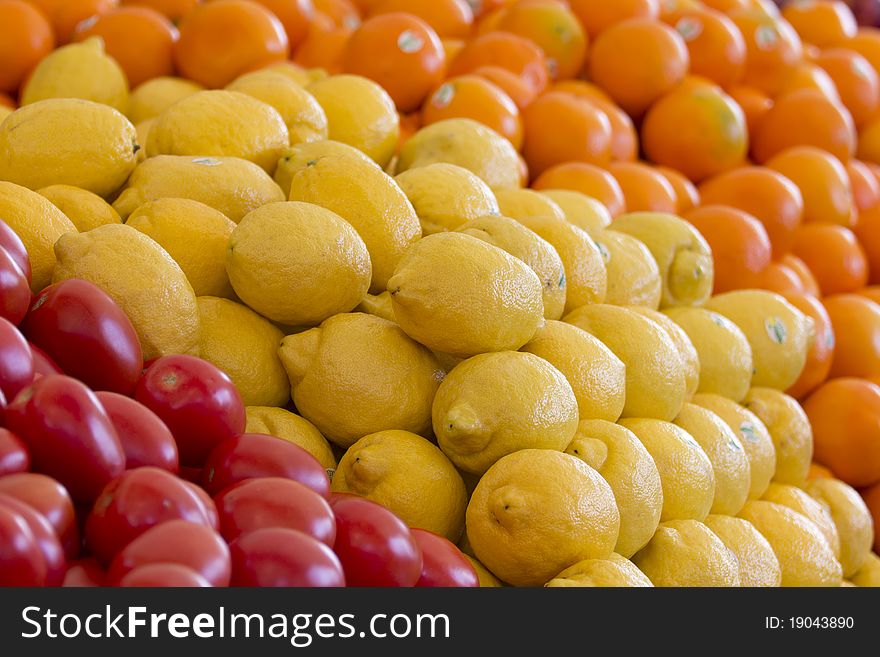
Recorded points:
(851, 518)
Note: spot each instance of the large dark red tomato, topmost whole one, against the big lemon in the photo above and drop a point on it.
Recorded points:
(87, 335)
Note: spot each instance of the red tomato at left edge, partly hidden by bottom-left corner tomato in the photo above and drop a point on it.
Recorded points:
(51, 500)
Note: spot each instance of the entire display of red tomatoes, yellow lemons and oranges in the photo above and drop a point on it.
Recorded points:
(439, 293)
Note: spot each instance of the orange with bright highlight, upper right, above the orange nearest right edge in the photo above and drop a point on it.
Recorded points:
(823, 181)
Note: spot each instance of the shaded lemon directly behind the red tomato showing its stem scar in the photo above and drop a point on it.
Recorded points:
(245, 346)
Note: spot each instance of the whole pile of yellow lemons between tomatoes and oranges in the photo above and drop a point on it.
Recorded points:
(558, 393)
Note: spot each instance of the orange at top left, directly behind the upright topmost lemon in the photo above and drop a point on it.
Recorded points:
(140, 39)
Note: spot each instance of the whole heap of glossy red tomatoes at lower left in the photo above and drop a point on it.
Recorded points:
(118, 472)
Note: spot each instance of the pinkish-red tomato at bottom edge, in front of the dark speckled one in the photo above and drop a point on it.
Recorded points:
(178, 541)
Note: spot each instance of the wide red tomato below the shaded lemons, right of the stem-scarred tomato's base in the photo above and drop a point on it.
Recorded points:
(252, 455)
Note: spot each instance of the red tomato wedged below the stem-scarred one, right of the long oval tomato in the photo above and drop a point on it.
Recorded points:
(144, 437)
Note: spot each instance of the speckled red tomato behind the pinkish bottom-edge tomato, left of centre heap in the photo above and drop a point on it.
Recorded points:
(135, 502)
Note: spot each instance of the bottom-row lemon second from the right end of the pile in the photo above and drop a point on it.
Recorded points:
(804, 555)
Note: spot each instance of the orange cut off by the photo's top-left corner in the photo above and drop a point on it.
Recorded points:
(25, 38)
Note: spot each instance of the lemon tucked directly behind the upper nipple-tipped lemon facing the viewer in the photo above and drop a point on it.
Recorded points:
(596, 375)
